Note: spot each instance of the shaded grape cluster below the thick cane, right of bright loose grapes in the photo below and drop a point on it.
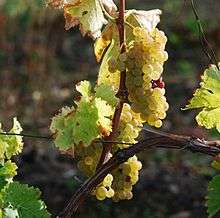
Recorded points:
(125, 177)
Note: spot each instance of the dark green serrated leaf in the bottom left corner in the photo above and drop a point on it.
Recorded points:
(26, 200)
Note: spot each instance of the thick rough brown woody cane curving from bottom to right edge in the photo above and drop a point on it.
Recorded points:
(153, 139)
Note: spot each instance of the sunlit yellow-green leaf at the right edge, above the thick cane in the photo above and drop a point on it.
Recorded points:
(207, 98)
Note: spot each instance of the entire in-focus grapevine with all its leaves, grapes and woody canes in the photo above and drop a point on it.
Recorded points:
(101, 128)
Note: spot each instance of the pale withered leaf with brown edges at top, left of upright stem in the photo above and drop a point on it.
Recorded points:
(88, 14)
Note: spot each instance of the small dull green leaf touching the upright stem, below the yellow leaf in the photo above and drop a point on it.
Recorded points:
(105, 92)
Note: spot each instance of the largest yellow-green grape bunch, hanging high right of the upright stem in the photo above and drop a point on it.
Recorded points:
(143, 62)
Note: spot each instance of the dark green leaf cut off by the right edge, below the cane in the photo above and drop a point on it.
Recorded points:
(213, 198)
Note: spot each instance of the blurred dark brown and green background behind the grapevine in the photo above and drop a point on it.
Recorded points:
(39, 64)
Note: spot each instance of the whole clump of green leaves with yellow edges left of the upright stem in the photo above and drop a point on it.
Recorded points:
(88, 121)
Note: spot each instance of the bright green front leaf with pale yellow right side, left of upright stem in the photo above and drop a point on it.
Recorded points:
(92, 115)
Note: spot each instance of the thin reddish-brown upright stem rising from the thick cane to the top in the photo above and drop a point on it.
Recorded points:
(122, 91)
